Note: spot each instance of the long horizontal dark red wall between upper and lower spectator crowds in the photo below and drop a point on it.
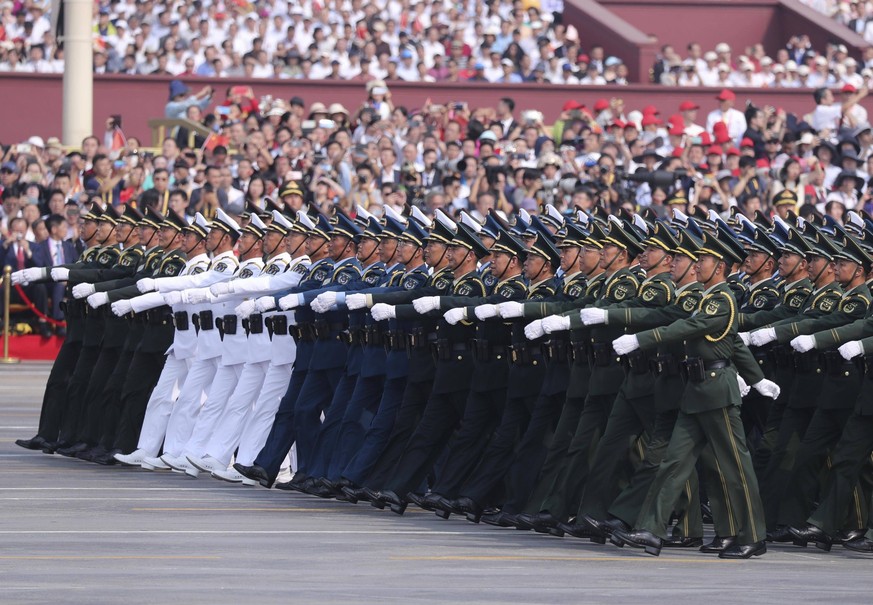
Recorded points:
(32, 102)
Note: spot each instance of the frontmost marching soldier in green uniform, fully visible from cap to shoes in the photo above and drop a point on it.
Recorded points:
(709, 410)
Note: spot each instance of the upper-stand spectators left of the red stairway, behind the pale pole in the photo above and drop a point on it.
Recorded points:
(391, 40)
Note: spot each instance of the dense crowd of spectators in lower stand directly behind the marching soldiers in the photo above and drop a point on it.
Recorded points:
(264, 152)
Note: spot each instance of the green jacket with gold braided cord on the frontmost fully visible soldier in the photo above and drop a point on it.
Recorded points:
(710, 334)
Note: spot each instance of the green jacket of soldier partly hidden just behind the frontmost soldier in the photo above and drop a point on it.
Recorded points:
(668, 385)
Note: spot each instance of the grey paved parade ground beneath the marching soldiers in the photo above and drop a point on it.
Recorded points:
(75, 532)
